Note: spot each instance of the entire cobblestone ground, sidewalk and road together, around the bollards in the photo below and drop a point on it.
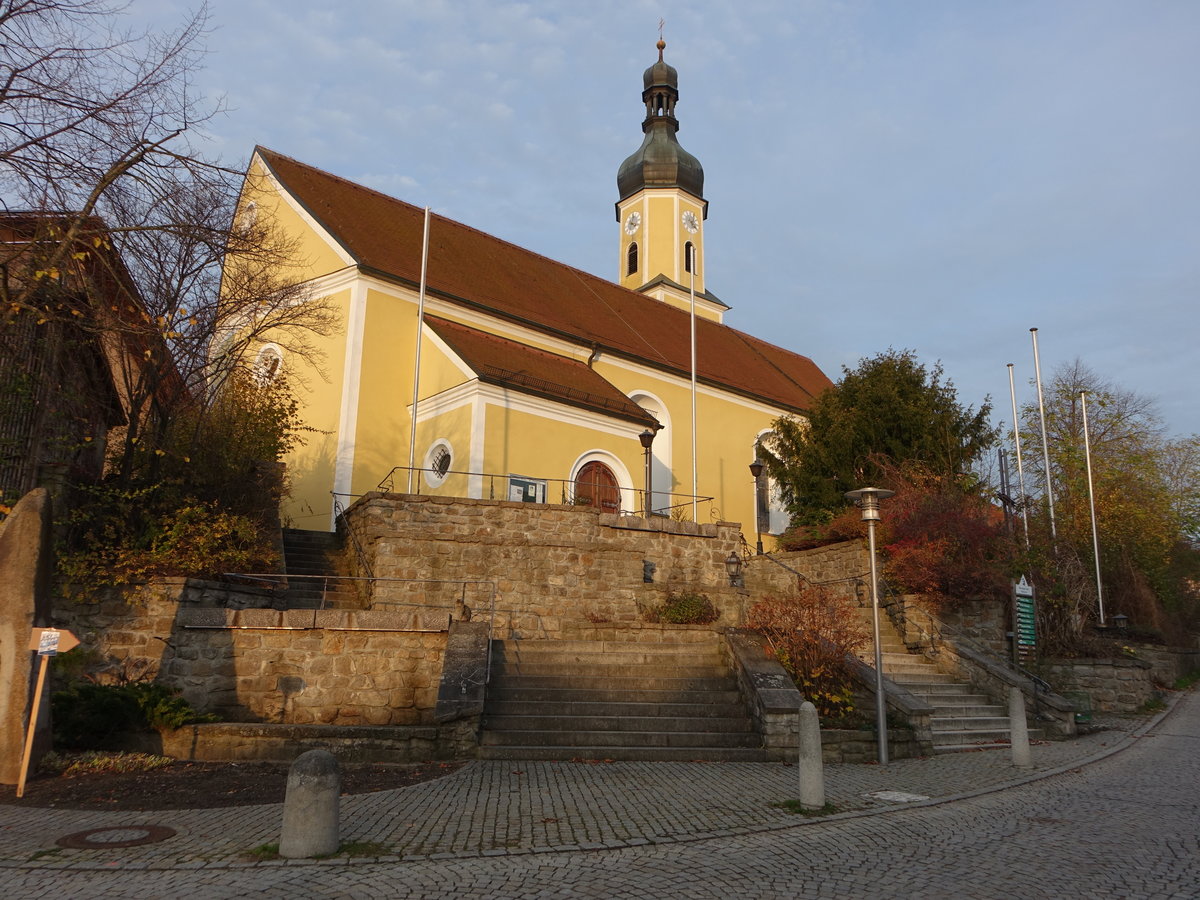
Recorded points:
(1088, 821)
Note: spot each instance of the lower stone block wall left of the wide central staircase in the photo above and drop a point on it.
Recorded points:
(231, 656)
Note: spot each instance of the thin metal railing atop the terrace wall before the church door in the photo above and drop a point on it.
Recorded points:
(621, 501)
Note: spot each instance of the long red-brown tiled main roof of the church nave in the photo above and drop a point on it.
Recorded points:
(476, 269)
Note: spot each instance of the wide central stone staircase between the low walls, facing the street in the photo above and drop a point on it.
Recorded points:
(613, 700)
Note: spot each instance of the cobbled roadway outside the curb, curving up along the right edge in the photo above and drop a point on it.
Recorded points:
(1123, 827)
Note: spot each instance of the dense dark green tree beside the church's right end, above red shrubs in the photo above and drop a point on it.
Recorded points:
(889, 411)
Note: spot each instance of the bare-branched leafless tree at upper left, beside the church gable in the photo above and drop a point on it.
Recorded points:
(125, 225)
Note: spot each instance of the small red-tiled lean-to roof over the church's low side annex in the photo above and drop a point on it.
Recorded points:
(529, 370)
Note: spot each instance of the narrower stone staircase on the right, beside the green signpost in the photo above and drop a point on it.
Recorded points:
(963, 718)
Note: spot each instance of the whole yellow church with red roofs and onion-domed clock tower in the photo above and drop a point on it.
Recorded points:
(533, 381)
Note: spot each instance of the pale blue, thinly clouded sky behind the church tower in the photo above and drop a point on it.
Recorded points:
(928, 176)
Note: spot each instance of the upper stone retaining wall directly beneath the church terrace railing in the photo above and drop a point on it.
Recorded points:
(555, 567)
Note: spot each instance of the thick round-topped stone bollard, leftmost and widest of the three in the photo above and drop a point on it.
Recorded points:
(310, 807)
